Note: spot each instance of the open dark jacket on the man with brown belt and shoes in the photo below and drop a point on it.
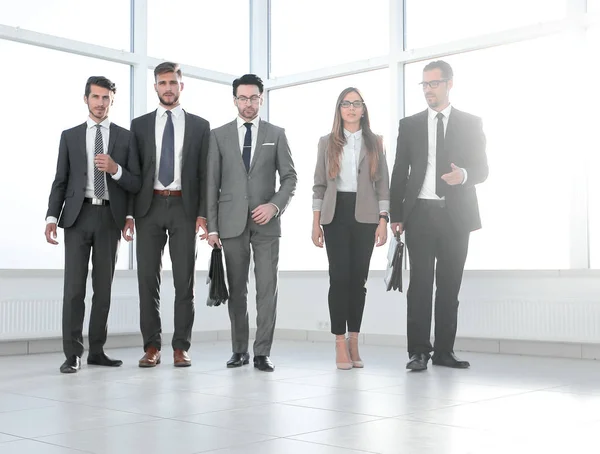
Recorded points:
(193, 168)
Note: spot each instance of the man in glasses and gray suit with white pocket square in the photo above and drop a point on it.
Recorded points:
(244, 210)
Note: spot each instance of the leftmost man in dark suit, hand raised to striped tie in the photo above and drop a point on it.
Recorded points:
(94, 174)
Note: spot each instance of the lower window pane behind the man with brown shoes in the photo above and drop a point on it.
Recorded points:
(211, 101)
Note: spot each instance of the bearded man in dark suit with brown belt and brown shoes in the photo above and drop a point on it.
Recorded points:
(172, 146)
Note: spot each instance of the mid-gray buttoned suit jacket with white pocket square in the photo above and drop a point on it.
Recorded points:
(232, 192)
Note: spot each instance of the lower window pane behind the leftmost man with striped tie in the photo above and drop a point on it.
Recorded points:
(39, 105)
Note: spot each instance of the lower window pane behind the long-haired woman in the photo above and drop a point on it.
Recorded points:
(315, 104)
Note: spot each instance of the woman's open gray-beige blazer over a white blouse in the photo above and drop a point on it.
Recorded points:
(369, 193)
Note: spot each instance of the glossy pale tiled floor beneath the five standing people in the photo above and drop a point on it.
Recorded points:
(503, 404)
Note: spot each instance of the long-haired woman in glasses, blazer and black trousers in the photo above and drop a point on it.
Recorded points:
(351, 201)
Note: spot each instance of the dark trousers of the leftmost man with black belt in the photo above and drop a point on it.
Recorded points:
(93, 232)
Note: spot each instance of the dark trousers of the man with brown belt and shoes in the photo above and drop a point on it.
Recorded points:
(166, 219)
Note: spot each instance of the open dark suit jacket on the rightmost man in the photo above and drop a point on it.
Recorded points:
(465, 143)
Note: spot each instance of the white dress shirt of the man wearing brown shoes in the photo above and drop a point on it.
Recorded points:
(178, 117)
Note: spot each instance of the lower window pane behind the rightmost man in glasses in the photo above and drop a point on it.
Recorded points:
(525, 100)
